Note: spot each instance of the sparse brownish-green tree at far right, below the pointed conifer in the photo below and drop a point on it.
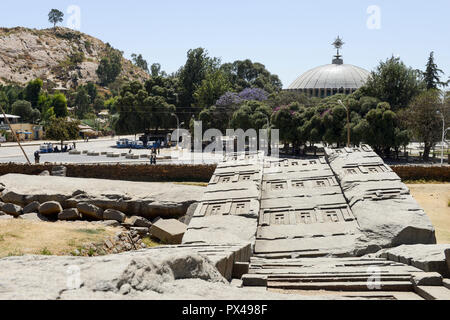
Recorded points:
(423, 119)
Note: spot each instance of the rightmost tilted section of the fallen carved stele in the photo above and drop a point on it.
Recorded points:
(386, 212)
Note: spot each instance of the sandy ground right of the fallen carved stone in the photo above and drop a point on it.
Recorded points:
(434, 198)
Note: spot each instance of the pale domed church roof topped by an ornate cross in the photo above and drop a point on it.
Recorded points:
(330, 79)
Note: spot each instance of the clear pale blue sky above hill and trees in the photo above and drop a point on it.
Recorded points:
(288, 37)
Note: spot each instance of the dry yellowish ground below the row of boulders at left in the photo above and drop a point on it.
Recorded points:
(18, 237)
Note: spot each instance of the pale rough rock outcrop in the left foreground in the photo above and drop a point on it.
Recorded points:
(161, 273)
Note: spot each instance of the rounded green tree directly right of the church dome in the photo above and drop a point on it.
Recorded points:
(394, 83)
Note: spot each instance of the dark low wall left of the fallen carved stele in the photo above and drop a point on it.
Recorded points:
(143, 172)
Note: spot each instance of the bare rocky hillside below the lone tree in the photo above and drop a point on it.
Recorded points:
(61, 57)
